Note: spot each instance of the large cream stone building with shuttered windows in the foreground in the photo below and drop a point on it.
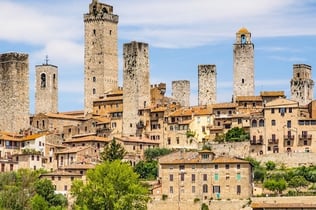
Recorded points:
(186, 176)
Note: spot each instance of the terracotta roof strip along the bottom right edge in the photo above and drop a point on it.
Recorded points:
(283, 205)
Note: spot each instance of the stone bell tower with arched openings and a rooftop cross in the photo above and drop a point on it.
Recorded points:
(46, 88)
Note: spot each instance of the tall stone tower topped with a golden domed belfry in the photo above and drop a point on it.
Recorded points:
(244, 84)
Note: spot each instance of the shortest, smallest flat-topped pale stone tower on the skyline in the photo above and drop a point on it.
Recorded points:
(181, 92)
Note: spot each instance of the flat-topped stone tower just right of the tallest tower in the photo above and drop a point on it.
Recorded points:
(136, 86)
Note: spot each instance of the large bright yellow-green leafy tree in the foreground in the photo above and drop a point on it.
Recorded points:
(110, 185)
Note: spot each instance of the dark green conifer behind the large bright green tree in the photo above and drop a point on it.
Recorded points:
(113, 151)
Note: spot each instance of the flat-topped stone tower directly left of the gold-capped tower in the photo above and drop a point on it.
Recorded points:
(207, 84)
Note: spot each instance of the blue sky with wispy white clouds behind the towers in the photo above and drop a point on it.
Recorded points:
(181, 34)
